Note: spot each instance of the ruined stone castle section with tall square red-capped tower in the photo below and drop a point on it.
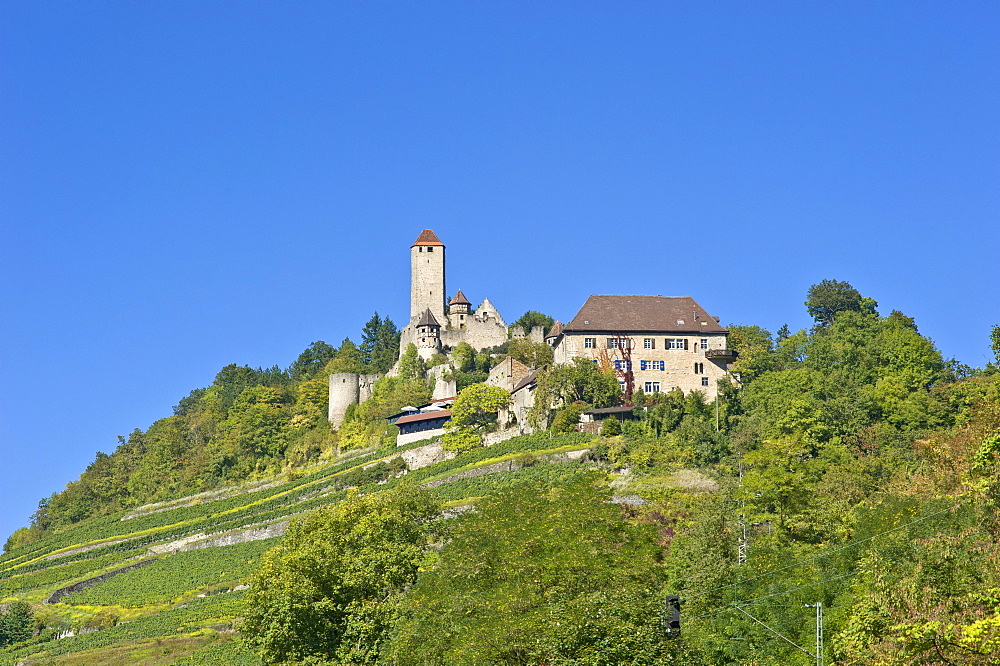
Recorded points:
(437, 324)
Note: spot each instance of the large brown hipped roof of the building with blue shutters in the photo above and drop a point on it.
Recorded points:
(622, 314)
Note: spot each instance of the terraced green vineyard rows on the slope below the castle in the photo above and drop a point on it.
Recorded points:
(182, 603)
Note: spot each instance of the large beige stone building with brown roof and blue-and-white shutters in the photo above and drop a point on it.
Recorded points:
(665, 342)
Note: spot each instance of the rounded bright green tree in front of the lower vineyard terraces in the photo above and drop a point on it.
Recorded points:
(329, 591)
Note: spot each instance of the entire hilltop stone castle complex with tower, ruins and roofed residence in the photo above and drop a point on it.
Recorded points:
(676, 342)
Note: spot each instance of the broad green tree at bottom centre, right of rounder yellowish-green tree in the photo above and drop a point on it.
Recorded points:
(540, 575)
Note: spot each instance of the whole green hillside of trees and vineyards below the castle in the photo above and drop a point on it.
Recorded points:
(852, 466)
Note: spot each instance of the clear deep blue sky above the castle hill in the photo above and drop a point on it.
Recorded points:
(185, 185)
